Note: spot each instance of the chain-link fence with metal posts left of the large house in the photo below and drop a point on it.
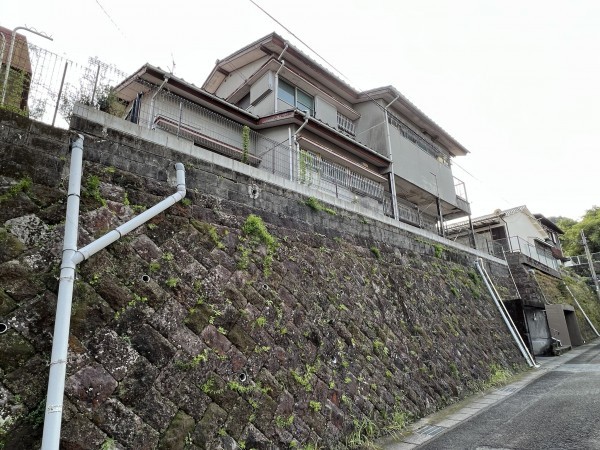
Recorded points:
(42, 85)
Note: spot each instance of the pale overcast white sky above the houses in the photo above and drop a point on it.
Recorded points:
(515, 82)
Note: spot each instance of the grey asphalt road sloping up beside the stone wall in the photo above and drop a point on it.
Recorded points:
(558, 410)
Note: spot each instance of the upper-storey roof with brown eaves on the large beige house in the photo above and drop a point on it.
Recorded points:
(277, 47)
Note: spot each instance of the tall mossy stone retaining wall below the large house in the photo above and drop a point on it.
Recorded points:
(232, 320)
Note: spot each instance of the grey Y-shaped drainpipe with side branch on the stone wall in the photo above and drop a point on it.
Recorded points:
(70, 258)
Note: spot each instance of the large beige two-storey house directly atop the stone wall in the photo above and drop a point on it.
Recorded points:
(272, 106)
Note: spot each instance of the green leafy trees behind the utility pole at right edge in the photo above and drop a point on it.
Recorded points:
(590, 224)
